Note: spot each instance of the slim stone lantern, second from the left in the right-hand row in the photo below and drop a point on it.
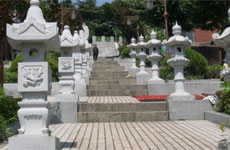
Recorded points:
(142, 76)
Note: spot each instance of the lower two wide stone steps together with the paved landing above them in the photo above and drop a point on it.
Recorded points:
(120, 109)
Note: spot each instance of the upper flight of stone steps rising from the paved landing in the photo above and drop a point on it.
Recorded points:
(108, 78)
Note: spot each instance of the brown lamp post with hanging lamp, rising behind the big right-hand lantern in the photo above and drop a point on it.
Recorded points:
(165, 15)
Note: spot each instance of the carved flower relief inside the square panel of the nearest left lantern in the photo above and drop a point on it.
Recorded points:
(33, 76)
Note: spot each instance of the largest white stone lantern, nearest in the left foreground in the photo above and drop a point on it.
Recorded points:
(34, 37)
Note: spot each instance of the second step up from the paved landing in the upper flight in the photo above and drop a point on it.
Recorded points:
(115, 86)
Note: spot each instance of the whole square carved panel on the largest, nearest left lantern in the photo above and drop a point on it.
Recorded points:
(33, 77)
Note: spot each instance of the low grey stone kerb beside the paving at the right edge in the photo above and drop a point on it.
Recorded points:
(216, 117)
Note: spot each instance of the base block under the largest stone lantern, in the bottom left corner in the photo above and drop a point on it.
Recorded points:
(32, 142)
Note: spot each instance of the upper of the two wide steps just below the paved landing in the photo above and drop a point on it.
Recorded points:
(122, 107)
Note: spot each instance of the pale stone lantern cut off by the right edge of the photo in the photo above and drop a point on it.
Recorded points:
(223, 41)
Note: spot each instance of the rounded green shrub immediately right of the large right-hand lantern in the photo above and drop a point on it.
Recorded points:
(197, 67)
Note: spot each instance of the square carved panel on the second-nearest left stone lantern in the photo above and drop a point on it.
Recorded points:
(66, 65)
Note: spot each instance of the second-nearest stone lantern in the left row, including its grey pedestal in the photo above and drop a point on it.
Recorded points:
(67, 98)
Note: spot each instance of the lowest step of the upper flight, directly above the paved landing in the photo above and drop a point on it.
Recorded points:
(109, 92)
